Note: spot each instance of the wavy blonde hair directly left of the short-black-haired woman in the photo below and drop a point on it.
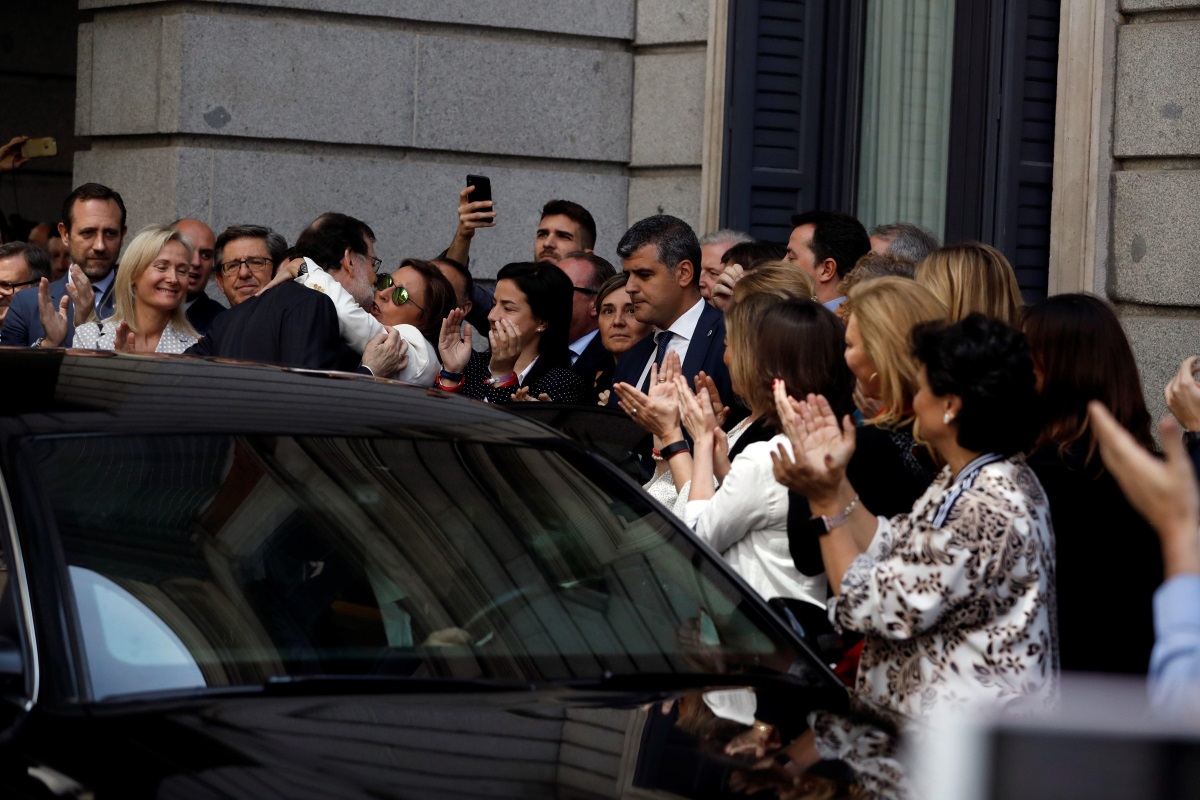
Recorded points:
(886, 311)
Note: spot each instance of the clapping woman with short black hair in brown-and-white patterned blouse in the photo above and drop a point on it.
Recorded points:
(956, 599)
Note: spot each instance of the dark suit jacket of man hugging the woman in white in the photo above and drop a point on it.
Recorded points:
(291, 326)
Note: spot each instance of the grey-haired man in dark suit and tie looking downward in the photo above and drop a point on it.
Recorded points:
(662, 256)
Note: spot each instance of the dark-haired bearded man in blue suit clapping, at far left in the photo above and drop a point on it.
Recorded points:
(93, 230)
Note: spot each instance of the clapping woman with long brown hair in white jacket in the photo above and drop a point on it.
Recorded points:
(746, 520)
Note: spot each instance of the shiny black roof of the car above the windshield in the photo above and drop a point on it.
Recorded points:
(91, 392)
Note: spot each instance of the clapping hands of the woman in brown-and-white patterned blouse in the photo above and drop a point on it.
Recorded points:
(821, 448)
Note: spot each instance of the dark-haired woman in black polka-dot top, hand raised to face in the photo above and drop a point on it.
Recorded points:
(531, 320)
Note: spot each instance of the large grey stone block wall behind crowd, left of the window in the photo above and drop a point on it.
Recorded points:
(277, 111)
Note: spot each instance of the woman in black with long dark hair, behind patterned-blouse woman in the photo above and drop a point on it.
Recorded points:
(1108, 557)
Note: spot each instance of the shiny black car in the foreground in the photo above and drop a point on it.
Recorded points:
(241, 581)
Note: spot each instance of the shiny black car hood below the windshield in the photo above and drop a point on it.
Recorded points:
(537, 744)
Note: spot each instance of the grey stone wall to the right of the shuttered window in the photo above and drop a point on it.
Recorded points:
(1151, 268)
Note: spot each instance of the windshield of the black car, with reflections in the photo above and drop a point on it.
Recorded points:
(214, 562)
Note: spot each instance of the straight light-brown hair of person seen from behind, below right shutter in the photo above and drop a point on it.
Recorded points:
(973, 278)
